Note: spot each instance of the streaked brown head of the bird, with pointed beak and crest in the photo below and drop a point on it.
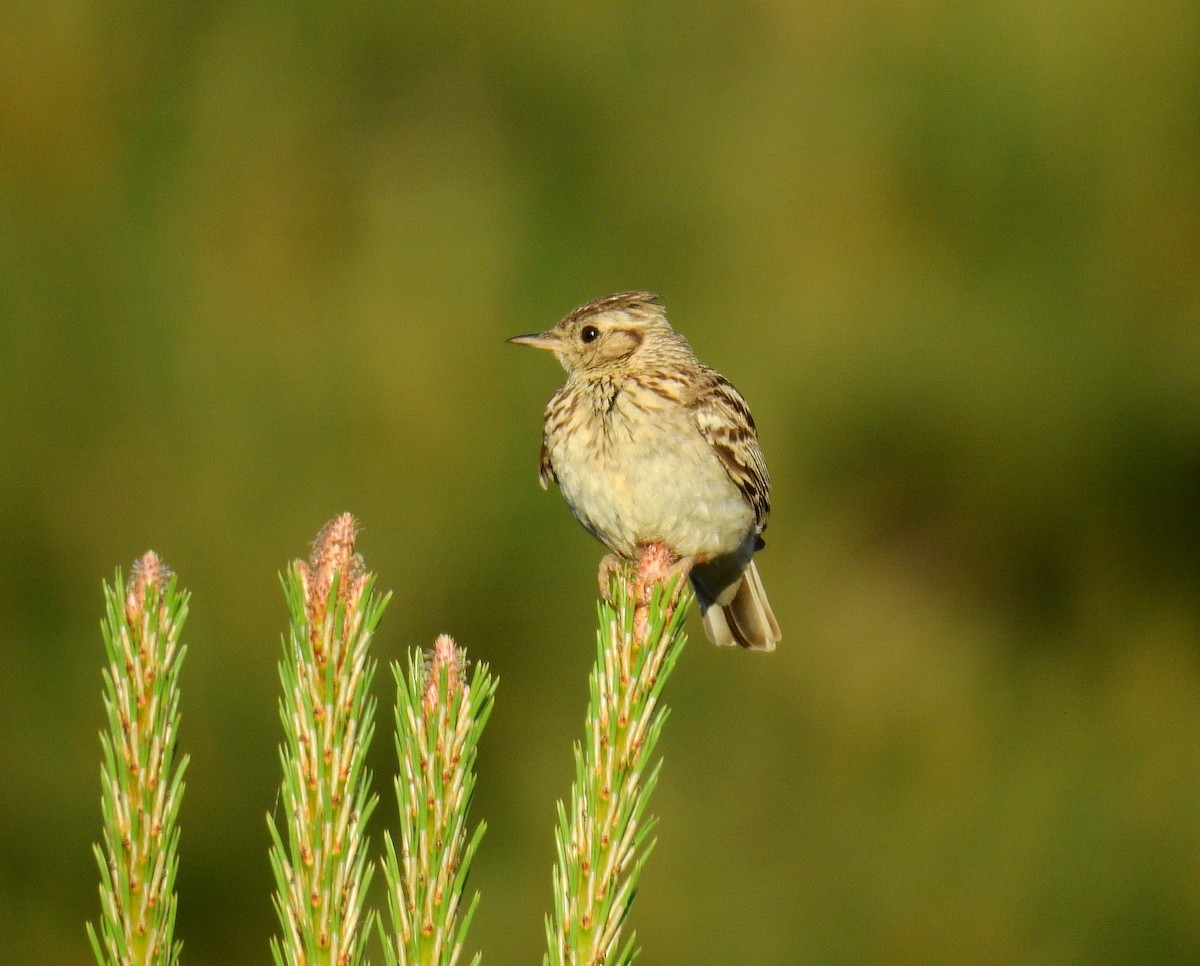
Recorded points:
(609, 334)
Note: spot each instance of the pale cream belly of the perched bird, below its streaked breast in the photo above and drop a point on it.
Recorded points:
(632, 491)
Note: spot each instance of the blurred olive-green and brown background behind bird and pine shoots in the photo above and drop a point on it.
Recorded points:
(257, 267)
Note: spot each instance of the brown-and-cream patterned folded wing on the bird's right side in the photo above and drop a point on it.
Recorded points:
(724, 419)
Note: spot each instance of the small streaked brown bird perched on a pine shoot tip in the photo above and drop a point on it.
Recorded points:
(649, 446)
